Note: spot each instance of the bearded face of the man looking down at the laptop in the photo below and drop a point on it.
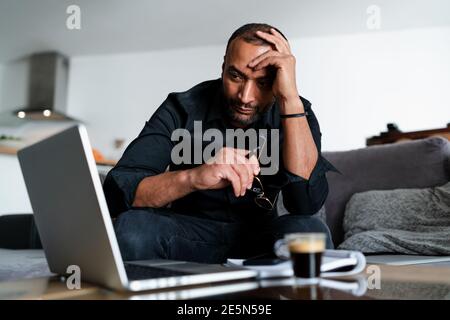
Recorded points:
(248, 93)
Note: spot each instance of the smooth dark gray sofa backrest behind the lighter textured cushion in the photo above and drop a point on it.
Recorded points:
(412, 164)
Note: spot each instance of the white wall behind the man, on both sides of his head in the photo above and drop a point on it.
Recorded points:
(357, 84)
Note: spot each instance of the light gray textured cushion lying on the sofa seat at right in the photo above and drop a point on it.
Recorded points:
(406, 221)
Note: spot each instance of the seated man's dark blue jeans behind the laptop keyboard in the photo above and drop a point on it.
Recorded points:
(163, 234)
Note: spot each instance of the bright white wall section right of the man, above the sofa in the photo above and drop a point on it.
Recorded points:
(358, 83)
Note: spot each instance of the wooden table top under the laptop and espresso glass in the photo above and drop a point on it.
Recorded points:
(397, 282)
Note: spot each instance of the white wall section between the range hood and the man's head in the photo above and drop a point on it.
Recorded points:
(116, 94)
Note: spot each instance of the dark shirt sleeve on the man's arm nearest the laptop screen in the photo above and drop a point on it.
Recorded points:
(147, 155)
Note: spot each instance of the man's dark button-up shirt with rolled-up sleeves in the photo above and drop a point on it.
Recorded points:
(150, 154)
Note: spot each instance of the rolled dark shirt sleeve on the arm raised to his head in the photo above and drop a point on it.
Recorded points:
(301, 196)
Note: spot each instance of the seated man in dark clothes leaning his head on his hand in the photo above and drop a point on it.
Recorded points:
(207, 212)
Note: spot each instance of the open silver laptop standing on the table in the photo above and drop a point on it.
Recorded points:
(75, 227)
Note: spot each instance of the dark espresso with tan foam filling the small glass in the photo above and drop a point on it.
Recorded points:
(306, 255)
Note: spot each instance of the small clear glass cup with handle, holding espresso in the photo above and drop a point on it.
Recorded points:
(305, 250)
